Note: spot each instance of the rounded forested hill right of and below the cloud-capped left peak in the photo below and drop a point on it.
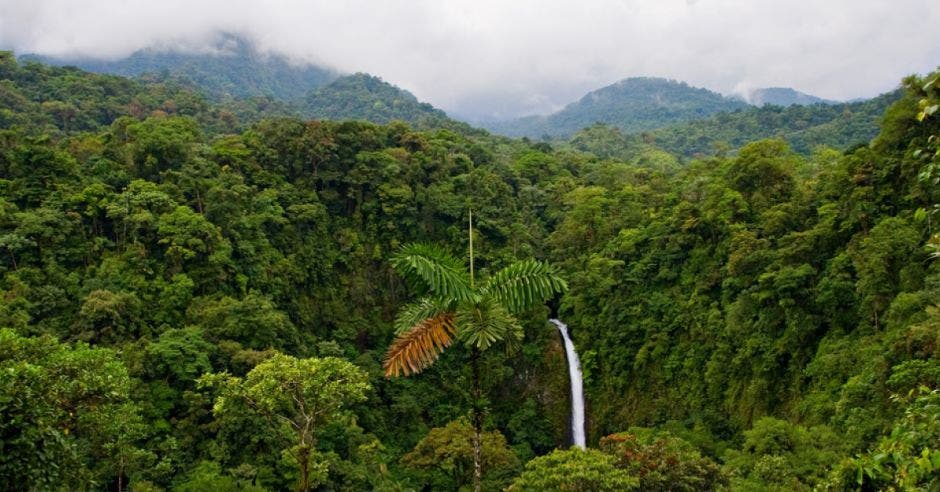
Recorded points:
(366, 97)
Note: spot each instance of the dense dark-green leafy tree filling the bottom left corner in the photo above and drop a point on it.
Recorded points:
(65, 415)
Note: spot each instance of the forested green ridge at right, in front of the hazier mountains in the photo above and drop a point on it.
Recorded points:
(834, 125)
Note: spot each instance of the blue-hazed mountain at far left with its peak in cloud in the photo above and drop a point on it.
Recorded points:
(232, 69)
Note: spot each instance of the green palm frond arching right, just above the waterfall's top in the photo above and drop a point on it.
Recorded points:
(524, 284)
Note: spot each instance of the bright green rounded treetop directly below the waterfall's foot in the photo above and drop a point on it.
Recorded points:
(574, 470)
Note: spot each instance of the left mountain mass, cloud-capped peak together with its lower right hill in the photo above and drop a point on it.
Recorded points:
(235, 73)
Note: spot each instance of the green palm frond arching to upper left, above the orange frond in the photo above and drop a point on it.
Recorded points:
(430, 269)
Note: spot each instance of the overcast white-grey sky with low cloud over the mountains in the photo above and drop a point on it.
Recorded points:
(478, 57)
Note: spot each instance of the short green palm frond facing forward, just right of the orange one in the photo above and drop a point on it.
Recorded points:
(485, 323)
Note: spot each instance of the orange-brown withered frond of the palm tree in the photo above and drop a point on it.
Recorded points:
(416, 349)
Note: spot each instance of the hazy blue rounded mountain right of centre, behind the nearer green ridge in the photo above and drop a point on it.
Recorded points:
(633, 105)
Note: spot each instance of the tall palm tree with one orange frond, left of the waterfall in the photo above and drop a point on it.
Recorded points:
(452, 307)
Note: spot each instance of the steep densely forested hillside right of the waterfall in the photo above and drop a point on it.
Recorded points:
(760, 284)
